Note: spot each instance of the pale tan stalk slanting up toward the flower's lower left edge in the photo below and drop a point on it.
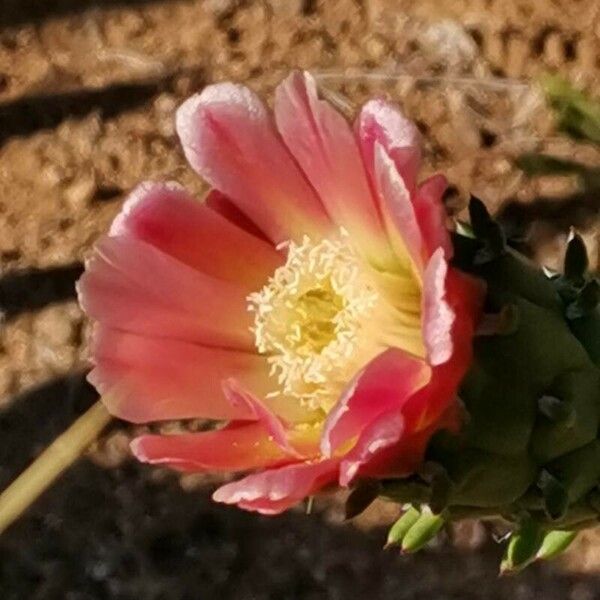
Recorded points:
(55, 459)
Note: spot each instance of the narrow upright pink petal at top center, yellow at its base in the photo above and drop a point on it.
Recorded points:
(323, 144)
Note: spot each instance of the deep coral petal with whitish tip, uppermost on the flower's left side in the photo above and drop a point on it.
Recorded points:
(166, 217)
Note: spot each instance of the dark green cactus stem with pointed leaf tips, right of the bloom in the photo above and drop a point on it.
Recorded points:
(528, 451)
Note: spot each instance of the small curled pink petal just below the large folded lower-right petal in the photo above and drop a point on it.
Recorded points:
(379, 435)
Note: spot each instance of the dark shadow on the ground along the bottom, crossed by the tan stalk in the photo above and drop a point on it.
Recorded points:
(120, 535)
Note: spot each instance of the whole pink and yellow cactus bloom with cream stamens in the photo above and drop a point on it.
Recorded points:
(308, 303)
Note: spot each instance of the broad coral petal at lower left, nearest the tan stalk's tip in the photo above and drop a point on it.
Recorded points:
(144, 379)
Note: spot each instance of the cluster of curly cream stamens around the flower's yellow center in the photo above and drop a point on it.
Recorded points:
(312, 320)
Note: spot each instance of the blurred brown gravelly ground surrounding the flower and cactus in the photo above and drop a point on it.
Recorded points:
(88, 90)
